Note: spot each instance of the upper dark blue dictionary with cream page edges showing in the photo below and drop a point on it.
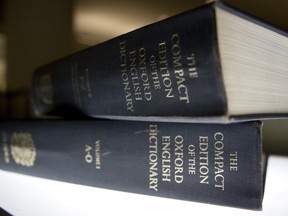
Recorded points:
(213, 63)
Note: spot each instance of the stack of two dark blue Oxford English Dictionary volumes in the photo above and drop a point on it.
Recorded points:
(172, 109)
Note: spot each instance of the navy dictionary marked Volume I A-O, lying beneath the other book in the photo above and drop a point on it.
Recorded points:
(218, 164)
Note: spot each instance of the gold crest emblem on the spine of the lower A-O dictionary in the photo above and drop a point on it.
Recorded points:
(23, 149)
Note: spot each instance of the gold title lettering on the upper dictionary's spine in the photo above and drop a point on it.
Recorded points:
(163, 69)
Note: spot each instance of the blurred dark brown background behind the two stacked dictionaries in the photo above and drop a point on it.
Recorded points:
(33, 33)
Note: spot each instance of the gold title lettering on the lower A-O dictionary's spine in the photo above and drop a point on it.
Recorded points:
(170, 164)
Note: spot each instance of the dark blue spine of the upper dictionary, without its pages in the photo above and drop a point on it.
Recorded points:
(170, 68)
